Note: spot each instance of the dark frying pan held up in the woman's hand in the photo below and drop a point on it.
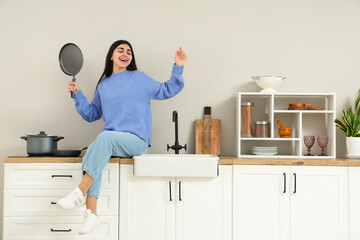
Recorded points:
(71, 60)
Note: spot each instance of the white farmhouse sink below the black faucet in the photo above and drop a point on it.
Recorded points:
(176, 165)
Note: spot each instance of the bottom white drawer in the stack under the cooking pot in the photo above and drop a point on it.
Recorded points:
(39, 228)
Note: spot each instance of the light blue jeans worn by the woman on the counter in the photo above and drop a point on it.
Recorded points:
(107, 144)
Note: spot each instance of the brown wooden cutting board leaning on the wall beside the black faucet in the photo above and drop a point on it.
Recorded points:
(207, 135)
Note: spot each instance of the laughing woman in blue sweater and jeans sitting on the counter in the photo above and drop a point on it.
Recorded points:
(122, 98)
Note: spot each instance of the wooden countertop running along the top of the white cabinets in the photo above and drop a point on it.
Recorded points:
(224, 160)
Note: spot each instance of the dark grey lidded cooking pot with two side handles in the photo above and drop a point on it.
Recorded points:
(41, 144)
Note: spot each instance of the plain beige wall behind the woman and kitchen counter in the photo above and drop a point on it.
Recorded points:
(315, 44)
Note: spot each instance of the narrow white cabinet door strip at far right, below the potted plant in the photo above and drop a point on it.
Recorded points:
(354, 202)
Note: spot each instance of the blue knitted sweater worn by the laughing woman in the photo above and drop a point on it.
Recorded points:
(123, 100)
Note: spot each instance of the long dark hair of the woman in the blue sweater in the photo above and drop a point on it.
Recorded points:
(109, 63)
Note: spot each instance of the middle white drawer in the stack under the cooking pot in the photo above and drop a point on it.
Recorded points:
(38, 203)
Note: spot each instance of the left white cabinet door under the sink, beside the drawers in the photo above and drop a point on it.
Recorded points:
(146, 209)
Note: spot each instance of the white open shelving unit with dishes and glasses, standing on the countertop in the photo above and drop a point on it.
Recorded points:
(274, 106)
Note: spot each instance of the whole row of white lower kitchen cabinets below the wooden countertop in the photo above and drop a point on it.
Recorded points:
(243, 203)
